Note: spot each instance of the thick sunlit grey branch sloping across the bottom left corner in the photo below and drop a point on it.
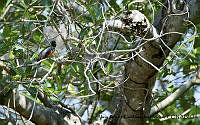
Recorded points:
(42, 115)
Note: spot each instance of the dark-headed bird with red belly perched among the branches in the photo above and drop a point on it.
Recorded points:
(47, 51)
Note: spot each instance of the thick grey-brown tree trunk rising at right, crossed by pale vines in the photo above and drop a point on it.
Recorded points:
(140, 74)
